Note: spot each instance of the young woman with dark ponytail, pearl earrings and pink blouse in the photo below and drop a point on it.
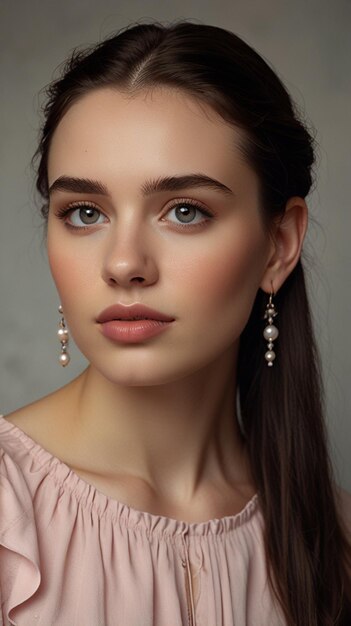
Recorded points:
(183, 477)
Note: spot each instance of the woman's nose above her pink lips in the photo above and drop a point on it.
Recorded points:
(129, 258)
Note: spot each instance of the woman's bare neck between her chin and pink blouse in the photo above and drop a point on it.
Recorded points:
(176, 436)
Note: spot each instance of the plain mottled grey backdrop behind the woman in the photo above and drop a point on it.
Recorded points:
(308, 42)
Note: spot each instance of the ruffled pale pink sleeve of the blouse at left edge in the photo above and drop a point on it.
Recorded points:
(19, 551)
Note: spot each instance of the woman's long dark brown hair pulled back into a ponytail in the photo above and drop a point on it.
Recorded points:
(308, 556)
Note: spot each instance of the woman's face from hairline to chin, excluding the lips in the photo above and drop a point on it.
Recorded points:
(201, 263)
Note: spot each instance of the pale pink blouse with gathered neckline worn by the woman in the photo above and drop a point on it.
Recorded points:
(72, 556)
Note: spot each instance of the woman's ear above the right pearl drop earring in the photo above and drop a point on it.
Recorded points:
(288, 236)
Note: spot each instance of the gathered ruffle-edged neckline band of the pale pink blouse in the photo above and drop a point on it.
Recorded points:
(86, 492)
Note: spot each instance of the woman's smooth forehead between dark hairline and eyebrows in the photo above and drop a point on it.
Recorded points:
(165, 128)
